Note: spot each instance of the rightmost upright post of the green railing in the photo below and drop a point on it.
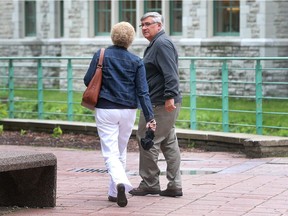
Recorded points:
(259, 96)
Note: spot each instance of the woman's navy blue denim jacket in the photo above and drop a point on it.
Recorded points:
(124, 79)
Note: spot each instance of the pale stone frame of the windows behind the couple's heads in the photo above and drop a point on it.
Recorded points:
(114, 14)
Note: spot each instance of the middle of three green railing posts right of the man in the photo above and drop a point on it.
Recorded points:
(225, 99)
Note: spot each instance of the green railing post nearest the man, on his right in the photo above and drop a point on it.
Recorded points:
(193, 120)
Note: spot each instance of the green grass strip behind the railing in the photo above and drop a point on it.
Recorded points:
(241, 120)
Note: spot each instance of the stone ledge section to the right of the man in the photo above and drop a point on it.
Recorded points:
(254, 146)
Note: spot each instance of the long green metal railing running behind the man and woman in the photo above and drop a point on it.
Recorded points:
(27, 80)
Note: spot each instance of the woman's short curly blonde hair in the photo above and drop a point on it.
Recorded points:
(122, 34)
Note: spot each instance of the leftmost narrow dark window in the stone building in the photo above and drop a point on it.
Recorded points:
(30, 18)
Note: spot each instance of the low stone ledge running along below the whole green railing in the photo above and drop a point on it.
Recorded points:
(252, 145)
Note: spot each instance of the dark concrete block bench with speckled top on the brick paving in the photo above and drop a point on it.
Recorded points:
(27, 179)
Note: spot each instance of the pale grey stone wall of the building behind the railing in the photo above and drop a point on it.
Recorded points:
(264, 30)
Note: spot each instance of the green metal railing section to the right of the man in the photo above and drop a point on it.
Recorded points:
(258, 94)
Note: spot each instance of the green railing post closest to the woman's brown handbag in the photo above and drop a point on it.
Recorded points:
(69, 91)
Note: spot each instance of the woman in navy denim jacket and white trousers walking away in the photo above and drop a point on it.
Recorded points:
(124, 85)
